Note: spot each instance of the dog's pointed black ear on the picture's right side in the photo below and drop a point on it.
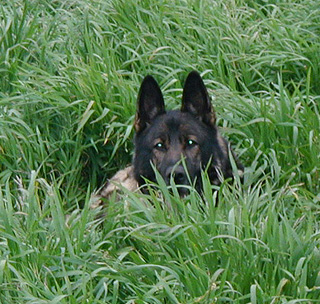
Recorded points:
(195, 99)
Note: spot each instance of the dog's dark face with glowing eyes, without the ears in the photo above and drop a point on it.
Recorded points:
(169, 139)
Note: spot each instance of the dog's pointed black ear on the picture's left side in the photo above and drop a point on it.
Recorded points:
(150, 103)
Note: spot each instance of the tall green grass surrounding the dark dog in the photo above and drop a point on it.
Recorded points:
(69, 76)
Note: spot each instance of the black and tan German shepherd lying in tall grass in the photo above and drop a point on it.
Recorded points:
(179, 144)
